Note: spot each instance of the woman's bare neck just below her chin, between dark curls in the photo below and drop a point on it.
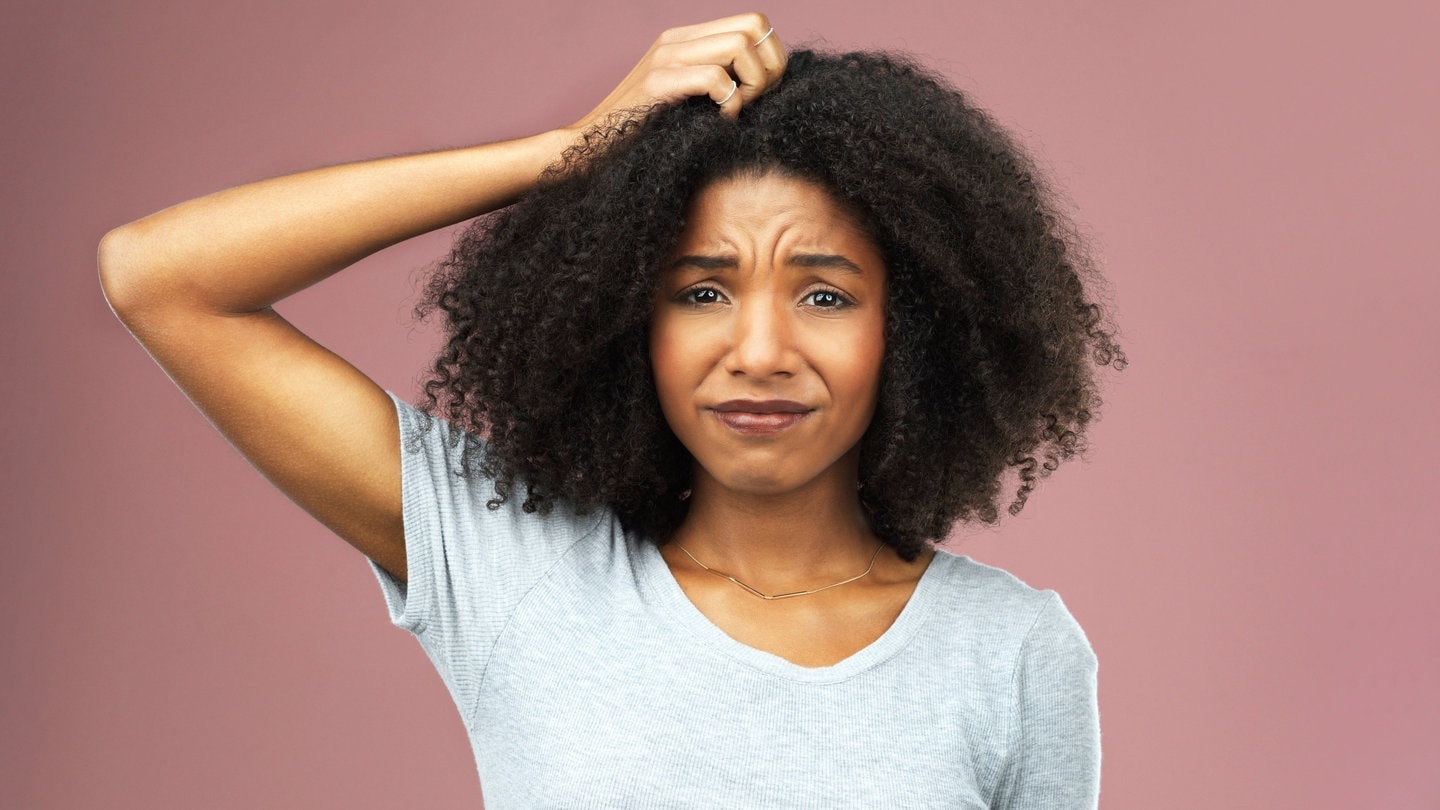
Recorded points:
(780, 543)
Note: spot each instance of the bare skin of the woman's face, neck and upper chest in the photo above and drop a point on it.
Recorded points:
(778, 293)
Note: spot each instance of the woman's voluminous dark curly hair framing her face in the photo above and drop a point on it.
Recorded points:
(990, 335)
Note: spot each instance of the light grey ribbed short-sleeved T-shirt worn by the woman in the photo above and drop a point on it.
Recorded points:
(588, 680)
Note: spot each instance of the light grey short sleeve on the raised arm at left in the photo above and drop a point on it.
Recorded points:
(469, 566)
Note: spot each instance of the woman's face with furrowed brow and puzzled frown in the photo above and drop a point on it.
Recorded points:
(768, 335)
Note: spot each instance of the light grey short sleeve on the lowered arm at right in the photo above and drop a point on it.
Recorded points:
(1055, 731)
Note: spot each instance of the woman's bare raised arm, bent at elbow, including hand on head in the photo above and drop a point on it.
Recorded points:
(195, 283)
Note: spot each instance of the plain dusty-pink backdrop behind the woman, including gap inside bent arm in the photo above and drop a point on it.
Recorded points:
(1251, 546)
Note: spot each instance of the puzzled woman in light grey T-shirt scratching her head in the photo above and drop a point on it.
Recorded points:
(737, 370)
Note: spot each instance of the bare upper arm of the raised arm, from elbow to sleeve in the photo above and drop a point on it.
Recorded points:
(313, 424)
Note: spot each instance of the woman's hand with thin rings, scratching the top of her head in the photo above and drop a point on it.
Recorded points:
(719, 60)
